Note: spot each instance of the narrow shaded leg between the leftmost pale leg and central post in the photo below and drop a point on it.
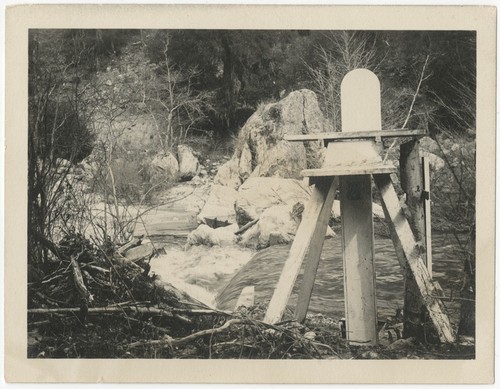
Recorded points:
(314, 254)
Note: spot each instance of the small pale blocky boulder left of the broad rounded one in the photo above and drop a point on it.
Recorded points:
(219, 209)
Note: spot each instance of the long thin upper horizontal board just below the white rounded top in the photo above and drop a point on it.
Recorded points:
(332, 136)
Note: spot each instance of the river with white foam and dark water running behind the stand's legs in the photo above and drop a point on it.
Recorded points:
(216, 275)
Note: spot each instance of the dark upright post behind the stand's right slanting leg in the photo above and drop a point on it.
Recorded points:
(412, 184)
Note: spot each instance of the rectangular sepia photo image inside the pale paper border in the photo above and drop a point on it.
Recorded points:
(251, 194)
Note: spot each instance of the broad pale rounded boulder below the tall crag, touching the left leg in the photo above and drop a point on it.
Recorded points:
(257, 194)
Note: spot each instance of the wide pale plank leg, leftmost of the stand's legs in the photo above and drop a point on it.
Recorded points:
(300, 246)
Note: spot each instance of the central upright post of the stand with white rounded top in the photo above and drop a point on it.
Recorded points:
(360, 108)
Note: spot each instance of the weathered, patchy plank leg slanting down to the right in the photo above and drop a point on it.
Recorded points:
(406, 247)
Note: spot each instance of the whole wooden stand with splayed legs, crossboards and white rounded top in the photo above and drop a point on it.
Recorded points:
(352, 158)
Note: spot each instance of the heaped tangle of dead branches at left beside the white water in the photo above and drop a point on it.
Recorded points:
(82, 274)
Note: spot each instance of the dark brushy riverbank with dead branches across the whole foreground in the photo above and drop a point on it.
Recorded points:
(94, 302)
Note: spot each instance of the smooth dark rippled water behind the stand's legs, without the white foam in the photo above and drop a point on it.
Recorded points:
(264, 269)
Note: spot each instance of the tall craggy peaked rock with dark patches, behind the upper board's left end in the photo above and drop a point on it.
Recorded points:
(261, 150)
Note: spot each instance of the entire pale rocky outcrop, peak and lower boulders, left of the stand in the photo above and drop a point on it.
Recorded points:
(259, 183)
